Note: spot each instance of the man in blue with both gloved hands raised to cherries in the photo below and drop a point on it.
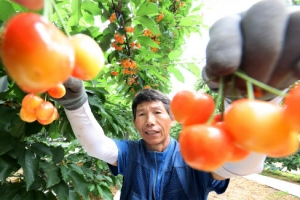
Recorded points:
(263, 42)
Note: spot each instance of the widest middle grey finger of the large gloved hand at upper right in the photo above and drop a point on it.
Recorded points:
(263, 27)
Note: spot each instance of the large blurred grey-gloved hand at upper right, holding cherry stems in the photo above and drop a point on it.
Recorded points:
(263, 42)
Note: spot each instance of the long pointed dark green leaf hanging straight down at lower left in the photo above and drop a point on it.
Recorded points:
(29, 163)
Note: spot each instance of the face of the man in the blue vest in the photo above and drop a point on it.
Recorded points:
(153, 123)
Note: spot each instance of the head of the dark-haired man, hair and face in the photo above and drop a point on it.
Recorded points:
(152, 118)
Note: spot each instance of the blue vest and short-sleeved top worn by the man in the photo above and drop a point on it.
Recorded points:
(161, 175)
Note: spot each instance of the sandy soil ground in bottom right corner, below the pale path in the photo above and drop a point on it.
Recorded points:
(243, 189)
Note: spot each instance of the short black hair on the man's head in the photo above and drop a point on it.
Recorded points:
(150, 95)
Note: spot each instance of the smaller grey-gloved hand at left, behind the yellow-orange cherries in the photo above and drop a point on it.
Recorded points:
(75, 95)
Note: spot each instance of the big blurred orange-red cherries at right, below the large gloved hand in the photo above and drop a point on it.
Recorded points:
(208, 140)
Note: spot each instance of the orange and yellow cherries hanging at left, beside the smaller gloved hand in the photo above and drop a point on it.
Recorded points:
(39, 57)
